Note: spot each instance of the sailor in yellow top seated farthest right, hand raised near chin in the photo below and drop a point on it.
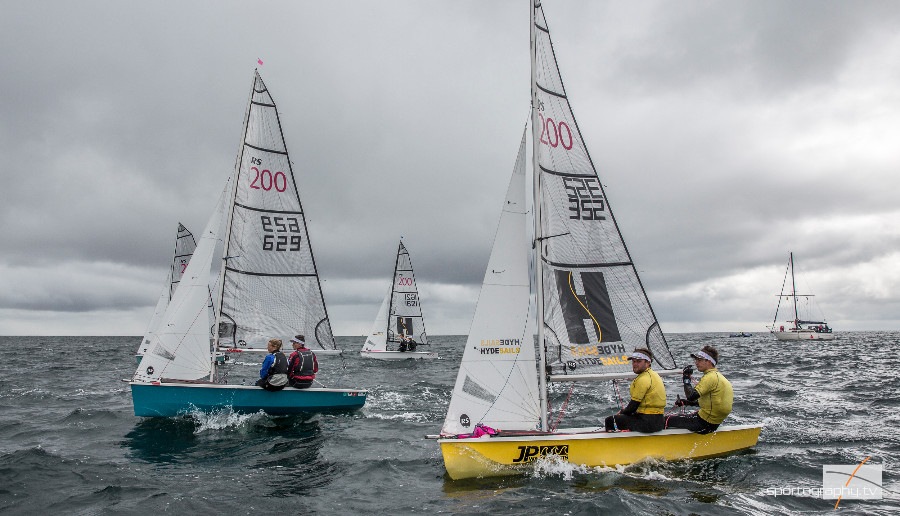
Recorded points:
(713, 394)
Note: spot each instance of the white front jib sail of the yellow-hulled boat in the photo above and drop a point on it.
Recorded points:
(497, 380)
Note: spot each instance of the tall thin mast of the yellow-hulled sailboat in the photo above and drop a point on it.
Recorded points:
(538, 230)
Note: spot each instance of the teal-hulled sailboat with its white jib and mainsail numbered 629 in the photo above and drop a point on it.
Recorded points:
(267, 287)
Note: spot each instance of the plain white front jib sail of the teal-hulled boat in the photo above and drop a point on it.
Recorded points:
(180, 346)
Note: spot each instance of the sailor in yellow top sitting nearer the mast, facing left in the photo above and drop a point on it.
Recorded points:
(644, 413)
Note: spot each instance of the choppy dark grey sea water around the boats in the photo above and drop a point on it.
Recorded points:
(69, 440)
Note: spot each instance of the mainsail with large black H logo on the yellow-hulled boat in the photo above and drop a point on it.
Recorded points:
(595, 310)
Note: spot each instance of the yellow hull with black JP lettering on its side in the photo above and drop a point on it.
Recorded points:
(496, 456)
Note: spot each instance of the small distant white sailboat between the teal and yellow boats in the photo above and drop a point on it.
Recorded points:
(399, 327)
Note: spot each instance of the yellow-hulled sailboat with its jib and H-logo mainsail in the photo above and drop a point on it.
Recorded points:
(590, 305)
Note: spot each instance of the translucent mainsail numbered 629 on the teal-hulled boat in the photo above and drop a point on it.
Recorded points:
(270, 286)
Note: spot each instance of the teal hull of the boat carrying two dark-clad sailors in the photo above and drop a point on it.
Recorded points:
(172, 399)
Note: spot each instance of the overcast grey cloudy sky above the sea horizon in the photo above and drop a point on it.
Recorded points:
(728, 134)
